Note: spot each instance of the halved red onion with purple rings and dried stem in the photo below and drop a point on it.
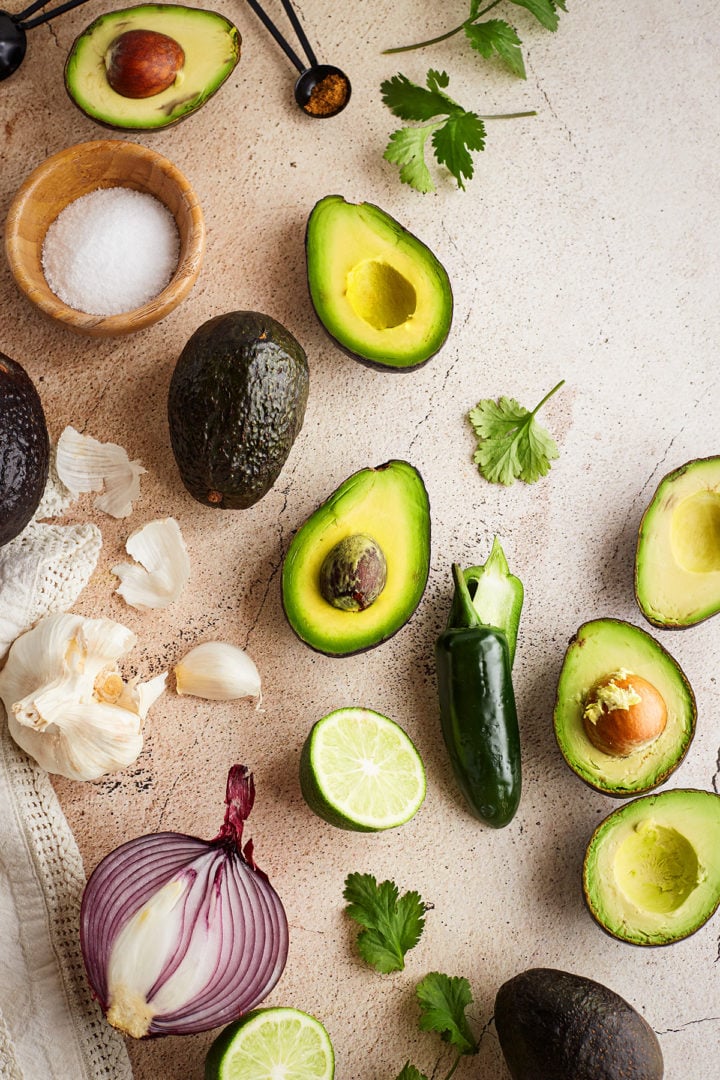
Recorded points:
(181, 935)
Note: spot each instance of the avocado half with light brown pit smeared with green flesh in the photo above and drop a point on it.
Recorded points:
(626, 712)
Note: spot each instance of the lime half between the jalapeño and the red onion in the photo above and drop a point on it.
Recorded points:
(360, 771)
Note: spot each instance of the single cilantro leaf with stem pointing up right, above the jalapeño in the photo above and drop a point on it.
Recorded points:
(512, 445)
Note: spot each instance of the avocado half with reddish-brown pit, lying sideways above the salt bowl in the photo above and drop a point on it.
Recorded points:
(127, 72)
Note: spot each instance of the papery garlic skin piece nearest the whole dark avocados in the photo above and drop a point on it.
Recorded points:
(86, 465)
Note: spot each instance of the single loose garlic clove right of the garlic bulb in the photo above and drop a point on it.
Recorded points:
(218, 671)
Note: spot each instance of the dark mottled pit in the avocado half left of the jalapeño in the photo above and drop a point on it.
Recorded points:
(354, 574)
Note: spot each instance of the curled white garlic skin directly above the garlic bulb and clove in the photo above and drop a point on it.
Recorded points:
(164, 570)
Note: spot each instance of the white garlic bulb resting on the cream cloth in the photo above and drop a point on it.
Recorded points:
(67, 704)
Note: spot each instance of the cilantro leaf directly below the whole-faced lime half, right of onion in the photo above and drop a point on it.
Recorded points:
(393, 924)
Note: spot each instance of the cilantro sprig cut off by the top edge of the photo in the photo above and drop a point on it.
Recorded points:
(495, 37)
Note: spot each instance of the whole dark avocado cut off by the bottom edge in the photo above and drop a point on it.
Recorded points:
(554, 1025)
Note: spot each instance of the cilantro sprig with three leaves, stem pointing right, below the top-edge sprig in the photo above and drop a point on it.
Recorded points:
(454, 132)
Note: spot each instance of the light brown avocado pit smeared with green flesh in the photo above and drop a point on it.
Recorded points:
(624, 713)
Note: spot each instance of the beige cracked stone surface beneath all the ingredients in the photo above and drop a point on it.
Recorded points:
(586, 249)
